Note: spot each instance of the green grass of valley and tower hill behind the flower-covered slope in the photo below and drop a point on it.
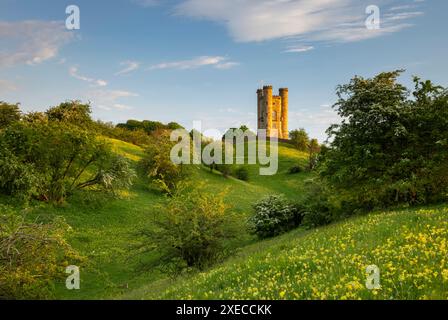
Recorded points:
(104, 229)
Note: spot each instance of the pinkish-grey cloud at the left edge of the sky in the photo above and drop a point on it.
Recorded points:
(31, 42)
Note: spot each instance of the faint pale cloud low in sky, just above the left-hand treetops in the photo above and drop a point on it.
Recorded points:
(109, 99)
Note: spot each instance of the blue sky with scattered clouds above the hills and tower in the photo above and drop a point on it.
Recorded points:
(189, 60)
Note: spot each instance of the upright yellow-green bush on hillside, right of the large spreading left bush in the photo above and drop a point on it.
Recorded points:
(158, 167)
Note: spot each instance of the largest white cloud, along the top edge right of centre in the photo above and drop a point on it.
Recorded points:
(317, 20)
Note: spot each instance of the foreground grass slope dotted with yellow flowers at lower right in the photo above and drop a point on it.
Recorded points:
(409, 246)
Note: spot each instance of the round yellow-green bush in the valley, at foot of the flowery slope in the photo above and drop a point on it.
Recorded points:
(192, 231)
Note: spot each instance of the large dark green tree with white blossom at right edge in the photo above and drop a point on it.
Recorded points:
(390, 148)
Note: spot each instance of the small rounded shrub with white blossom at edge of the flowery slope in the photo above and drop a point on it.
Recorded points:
(274, 215)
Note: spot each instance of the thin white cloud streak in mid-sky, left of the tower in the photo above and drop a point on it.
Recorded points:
(218, 62)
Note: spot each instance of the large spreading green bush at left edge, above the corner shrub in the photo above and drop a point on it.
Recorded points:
(50, 160)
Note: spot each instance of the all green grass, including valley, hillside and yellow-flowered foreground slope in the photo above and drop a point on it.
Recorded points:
(409, 247)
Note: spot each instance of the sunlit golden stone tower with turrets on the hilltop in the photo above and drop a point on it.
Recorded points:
(273, 112)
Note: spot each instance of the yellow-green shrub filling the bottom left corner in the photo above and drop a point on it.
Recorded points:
(32, 256)
